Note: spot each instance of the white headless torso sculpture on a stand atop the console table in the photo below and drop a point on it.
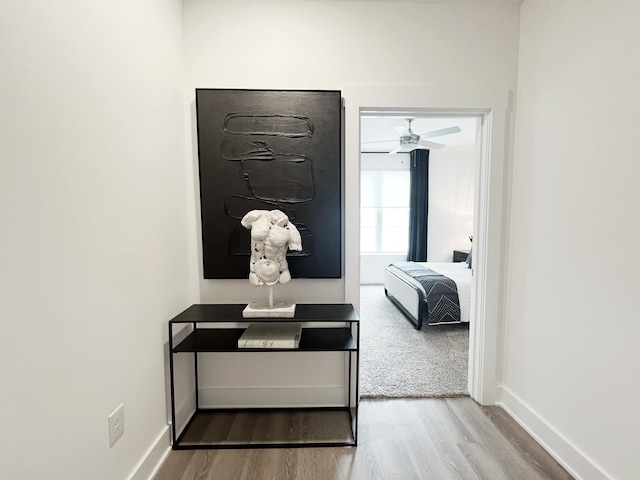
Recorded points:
(272, 234)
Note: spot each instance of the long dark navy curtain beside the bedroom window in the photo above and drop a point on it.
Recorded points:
(419, 205)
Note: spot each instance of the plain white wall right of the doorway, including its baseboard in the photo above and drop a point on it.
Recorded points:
(572, 291)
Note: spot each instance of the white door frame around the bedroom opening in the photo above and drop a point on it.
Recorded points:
(485, 332)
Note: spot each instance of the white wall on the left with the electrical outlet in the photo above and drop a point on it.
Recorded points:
(93, 246)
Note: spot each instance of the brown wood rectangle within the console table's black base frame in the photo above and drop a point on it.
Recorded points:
(269, 428)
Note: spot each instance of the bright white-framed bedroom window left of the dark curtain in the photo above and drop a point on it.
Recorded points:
(384, 210)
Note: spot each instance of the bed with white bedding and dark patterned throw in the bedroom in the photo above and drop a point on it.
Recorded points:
(446, 299)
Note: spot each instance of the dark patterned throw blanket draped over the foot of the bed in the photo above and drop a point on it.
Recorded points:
(443, 305)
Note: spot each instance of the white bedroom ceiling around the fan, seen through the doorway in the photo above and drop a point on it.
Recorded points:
(378, 128)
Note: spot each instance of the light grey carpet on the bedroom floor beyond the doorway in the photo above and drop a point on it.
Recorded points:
(398, 361)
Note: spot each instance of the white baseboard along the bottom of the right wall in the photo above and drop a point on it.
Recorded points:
(567, 454)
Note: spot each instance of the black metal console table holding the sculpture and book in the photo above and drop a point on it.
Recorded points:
(205, 329)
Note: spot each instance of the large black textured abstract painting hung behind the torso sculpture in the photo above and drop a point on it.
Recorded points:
(266, 150)
